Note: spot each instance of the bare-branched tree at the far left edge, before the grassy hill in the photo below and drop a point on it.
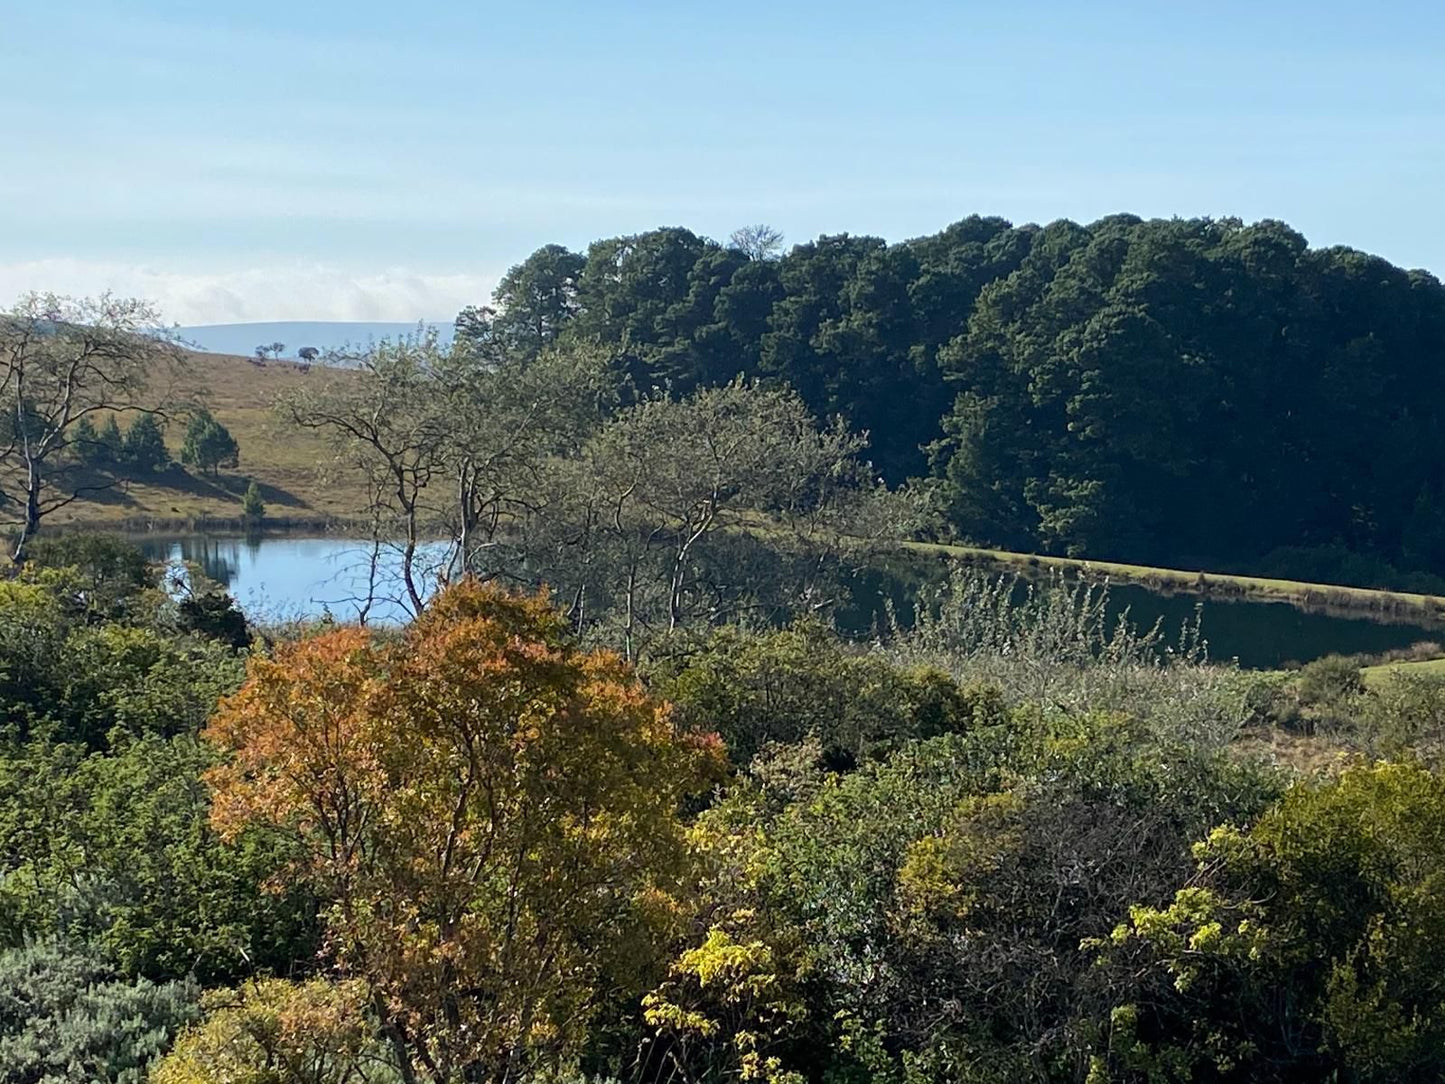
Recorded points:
(61, 362)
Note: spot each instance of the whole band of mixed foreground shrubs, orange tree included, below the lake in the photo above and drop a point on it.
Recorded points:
(1005, 843)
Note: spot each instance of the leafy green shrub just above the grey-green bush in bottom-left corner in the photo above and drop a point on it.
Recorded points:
(115, 852)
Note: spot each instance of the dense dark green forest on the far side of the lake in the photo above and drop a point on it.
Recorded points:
(1199, 392)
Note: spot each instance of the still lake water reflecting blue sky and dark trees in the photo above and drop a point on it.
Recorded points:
(284, 577)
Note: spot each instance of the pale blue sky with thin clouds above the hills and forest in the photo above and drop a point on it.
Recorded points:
(362, 161)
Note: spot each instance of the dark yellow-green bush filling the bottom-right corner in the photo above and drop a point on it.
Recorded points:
(1321, 929)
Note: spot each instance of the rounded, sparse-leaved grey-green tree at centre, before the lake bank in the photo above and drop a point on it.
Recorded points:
(703, 509)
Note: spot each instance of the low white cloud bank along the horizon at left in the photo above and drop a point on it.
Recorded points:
(258, 294)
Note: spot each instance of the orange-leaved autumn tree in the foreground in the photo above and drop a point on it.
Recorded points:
(492, 814)
